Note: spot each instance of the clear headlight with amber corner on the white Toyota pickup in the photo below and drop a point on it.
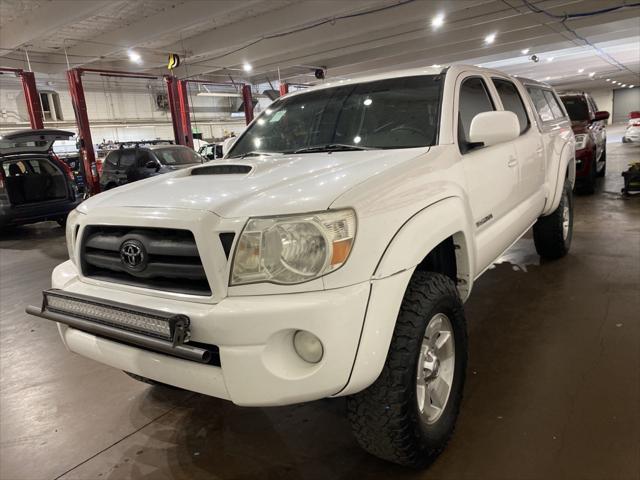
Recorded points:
(293, 249)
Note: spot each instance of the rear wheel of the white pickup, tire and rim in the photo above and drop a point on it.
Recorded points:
(548, 232)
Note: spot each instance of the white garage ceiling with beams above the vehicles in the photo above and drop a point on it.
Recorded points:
(348, 37)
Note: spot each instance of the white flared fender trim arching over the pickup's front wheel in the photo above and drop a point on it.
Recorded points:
(409, 246)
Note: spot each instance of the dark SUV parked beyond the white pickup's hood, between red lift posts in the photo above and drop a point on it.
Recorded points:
(130, 164)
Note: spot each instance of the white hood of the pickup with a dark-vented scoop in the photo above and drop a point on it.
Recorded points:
(256, 186)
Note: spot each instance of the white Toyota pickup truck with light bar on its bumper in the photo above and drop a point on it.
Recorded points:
(329, 254)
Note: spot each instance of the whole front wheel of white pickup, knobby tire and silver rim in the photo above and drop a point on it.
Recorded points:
(408, 414)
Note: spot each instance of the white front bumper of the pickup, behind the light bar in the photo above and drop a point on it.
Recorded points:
(258, 364)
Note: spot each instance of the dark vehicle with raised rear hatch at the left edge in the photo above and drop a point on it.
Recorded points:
(34, 185)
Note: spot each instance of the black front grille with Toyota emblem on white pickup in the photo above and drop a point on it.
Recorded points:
(157, 258)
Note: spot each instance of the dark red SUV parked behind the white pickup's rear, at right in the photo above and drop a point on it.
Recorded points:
(589, 127)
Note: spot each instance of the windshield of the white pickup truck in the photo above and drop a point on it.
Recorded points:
(393, 113)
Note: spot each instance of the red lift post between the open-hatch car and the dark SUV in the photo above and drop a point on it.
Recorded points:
(74, 77)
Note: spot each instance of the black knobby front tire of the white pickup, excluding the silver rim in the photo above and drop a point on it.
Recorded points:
(385, 417)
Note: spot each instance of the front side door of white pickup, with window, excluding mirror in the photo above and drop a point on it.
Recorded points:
(491, 172)
